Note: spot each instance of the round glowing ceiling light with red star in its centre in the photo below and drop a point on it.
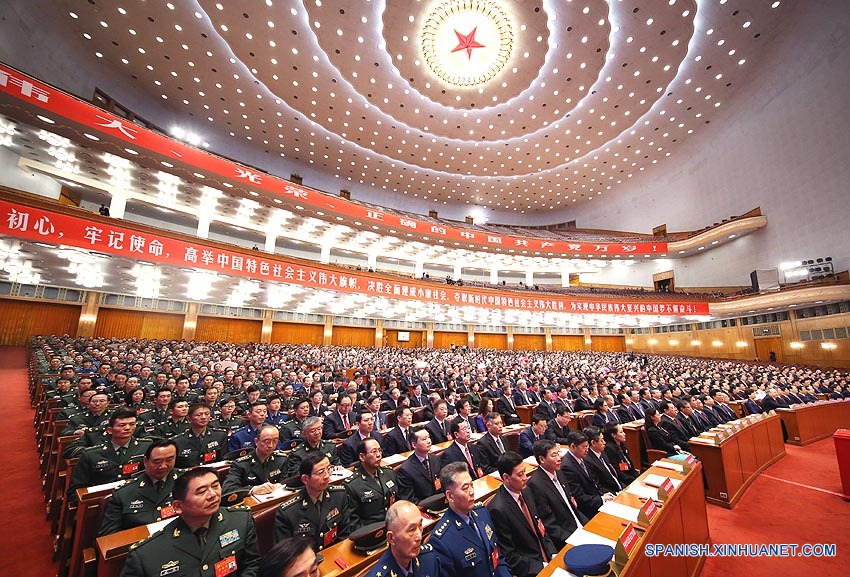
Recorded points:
(467, 42)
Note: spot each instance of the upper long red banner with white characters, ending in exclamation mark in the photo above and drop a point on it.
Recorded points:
(49, 99)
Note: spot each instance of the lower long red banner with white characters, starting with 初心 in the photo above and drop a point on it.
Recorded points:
(46, 226)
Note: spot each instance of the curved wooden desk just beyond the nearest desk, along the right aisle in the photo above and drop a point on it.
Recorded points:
(734, 464)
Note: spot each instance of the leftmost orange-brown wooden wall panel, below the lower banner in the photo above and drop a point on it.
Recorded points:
(23, 319)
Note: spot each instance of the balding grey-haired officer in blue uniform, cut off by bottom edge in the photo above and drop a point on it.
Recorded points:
(406, 556)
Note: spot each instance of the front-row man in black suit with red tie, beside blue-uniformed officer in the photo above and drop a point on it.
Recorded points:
(520, 530)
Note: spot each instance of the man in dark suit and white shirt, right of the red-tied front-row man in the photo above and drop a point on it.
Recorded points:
(557, 507)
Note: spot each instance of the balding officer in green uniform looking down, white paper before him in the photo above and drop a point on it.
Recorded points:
(262, 470)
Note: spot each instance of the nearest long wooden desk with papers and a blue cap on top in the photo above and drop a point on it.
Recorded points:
(682, 519)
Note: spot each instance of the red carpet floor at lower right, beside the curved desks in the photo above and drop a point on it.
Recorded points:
(797, 501)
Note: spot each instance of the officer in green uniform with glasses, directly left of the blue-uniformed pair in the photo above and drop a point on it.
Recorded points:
(319, 510)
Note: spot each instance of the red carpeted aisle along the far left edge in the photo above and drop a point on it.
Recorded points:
(24, 534)
